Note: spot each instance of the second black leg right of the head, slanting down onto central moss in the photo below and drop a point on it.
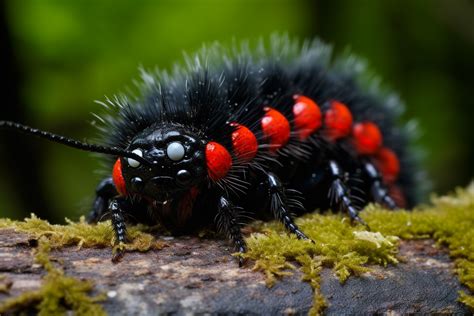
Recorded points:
(279, 205)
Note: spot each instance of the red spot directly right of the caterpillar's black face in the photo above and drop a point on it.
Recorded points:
(218, 160)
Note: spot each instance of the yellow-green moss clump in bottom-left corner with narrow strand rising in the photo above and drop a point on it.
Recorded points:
(58, 293)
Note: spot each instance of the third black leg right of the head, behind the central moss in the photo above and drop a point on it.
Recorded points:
(339, 194)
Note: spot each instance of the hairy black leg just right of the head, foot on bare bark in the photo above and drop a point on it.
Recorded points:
(227, 221)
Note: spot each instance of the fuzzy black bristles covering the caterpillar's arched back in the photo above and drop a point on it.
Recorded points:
(219, 86)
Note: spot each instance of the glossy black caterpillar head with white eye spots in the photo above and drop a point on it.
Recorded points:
(176, 163)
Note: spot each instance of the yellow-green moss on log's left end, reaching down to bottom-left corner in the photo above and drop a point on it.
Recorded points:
(60, 293)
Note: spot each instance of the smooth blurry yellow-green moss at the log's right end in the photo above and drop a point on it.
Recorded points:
(450, 221)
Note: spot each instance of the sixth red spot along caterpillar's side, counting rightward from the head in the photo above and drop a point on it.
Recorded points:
(367, 138)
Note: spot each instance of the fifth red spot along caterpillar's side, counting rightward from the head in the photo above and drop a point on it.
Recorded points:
(338, 121)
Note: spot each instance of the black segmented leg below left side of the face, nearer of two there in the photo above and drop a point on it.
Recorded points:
(116, 208)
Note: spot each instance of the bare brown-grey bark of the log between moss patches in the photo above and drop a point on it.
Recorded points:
(195, 275)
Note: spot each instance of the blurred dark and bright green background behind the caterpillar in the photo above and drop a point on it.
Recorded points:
(59, 56)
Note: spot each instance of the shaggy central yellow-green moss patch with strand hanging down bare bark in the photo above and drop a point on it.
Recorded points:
(338, 245)
